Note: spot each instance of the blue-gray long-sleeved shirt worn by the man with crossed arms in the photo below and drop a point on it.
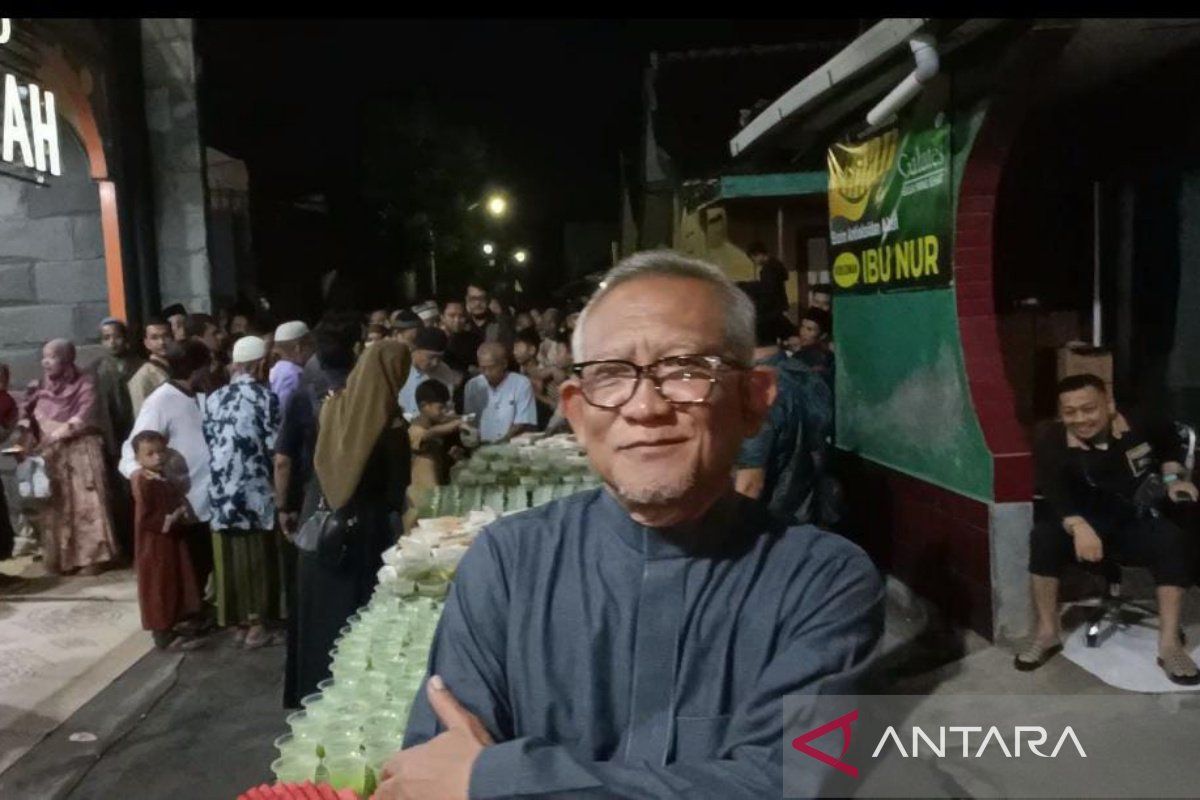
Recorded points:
(610, 659)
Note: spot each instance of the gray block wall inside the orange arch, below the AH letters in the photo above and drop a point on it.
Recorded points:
(52, 263)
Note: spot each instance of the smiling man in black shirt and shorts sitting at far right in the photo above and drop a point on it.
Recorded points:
(1099, 477)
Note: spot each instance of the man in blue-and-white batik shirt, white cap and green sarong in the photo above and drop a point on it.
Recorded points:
(241, 424)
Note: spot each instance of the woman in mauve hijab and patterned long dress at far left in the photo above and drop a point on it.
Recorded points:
(61, 425)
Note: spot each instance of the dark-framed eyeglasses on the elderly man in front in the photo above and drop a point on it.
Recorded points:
(681, 380)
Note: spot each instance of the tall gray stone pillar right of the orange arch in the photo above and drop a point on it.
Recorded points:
(169, 65)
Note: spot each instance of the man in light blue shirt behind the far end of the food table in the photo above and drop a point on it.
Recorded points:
(502, 401)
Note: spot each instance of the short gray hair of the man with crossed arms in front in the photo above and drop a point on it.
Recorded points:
(740, 312)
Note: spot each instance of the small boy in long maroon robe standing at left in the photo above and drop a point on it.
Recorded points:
(167, 590)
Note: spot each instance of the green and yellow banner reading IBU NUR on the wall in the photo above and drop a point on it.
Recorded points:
(890, 212)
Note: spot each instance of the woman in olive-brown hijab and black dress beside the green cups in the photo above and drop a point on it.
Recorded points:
(363, 468)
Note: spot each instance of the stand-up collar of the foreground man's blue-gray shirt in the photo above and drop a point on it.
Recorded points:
(707, 537)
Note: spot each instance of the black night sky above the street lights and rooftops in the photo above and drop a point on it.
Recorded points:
(555, 101)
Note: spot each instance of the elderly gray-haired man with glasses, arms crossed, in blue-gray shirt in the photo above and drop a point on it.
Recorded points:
(638, 641)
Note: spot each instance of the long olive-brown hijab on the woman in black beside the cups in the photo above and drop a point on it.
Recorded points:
(353, 420)
